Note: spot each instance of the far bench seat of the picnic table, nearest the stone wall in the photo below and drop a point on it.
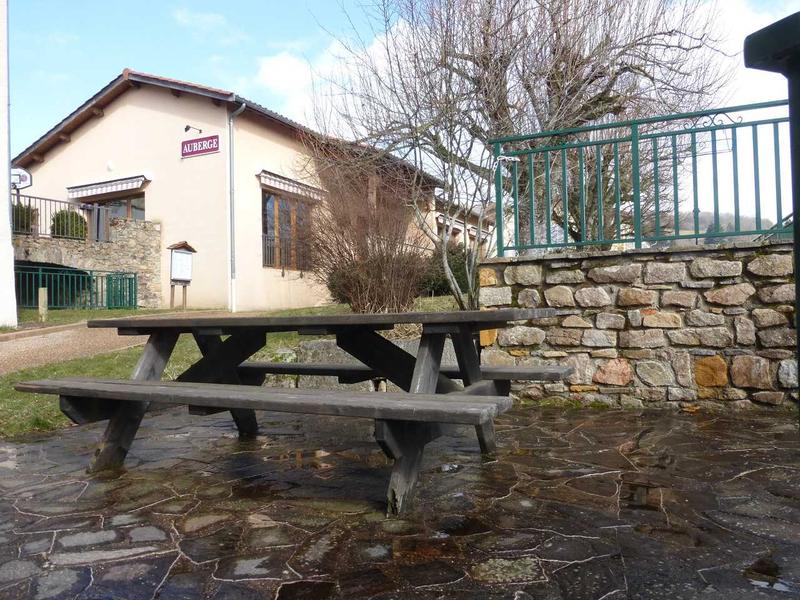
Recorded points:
(250, 371)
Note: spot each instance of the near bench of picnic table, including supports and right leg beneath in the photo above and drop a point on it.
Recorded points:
(404, 423)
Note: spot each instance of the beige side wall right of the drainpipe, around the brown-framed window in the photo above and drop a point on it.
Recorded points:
(258, 147)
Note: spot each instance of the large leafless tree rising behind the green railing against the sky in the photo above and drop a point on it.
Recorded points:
(436, 79)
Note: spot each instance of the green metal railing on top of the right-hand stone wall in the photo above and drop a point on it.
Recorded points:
(644, 181)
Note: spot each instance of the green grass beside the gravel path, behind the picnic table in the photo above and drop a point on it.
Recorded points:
(22, 413)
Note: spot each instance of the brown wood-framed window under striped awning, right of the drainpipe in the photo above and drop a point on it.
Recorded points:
(285, 223)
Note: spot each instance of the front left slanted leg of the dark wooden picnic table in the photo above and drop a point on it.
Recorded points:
(124, 423)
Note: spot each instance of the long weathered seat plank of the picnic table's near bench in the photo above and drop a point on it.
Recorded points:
(434, 408)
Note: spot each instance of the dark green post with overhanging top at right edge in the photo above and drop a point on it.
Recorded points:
(776, 48)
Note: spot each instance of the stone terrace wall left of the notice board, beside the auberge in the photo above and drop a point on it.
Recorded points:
(134, 247)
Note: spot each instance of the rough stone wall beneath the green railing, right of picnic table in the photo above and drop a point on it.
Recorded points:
(699, 326)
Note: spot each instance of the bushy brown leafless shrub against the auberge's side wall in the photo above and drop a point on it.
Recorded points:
(362, 244)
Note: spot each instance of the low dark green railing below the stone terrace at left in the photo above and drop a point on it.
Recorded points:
(74, 288)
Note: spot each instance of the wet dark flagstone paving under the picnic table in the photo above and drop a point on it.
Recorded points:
(576, 504)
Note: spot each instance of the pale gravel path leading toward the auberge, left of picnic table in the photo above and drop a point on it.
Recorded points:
(58, 346)
